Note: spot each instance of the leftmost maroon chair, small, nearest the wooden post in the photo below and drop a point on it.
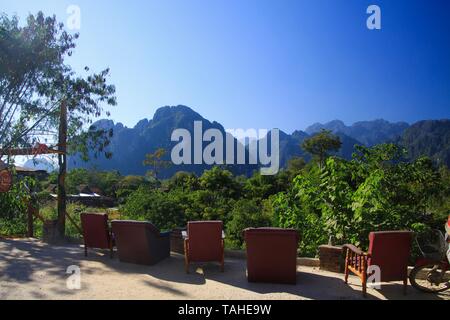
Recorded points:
(96, 232)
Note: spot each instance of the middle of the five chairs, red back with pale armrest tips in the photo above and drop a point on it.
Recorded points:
(204, 242)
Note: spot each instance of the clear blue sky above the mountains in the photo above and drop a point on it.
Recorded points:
(266, 64)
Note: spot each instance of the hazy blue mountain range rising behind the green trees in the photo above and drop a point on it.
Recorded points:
(129, 145)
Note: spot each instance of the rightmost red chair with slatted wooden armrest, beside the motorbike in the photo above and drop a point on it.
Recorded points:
(389, 250)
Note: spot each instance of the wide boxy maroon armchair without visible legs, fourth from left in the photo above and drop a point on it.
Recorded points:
(271, 255)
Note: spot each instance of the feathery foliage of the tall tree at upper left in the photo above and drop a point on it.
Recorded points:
(35, 80)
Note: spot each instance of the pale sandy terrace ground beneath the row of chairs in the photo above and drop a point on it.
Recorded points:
(30, 269)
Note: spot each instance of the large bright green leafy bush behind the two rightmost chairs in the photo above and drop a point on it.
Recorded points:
(376, 190)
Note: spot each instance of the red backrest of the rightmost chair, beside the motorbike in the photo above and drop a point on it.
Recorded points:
(390, 250)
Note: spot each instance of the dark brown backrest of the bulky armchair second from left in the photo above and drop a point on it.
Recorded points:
(133, 240)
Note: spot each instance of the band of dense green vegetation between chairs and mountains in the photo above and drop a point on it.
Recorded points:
(342, 200)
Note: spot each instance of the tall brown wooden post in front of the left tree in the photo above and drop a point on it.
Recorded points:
(62, 146)
